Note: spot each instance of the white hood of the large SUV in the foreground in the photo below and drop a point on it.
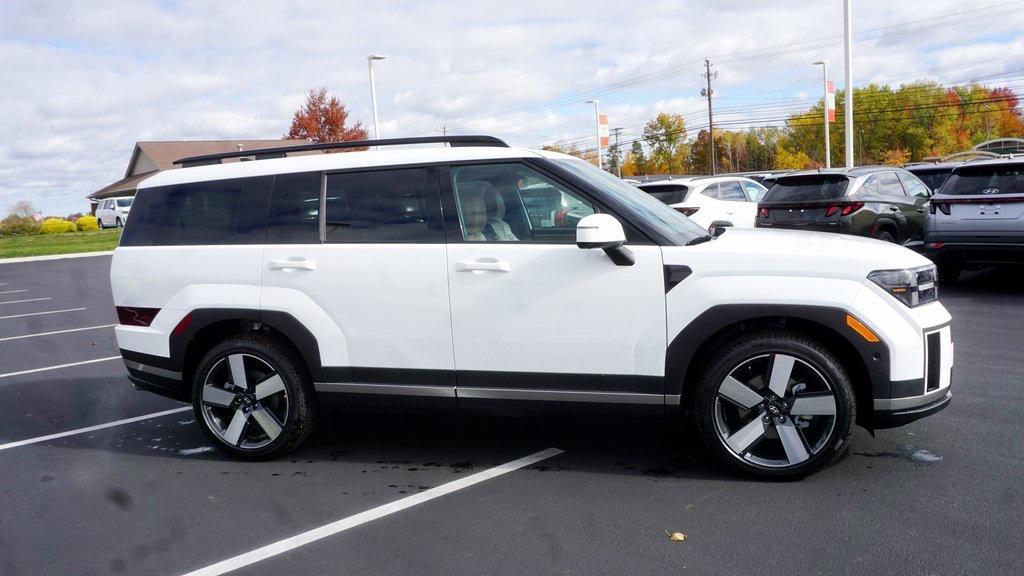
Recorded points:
(789, 253)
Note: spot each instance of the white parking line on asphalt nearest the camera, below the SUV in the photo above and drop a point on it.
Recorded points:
(311, 537)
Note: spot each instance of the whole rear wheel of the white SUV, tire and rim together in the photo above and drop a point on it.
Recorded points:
(252, 398)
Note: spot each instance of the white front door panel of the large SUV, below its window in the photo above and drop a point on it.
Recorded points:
(561, 310)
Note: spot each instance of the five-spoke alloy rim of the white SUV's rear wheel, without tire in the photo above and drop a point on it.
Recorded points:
(245, 401)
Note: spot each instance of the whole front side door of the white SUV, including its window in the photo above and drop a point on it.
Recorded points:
(532, 311)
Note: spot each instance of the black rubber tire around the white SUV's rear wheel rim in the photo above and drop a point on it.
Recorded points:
(298, 396)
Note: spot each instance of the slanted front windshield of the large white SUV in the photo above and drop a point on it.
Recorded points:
(668, 222)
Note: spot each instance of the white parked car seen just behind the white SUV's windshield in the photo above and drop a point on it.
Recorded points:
(711, 201)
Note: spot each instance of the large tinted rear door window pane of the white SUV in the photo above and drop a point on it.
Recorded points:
(401, 205)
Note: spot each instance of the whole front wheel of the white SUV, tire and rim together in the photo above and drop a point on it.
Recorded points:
(776, 404)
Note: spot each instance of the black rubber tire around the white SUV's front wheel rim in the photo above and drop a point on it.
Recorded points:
(747, 349)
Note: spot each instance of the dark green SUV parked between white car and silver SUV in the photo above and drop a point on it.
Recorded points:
(880, 202)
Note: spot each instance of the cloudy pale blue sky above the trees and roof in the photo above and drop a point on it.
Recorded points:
(81, 83)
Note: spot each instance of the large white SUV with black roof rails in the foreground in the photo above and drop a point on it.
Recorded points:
(424, 276)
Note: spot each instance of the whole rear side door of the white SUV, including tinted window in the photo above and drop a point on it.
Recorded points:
(376, 293)
